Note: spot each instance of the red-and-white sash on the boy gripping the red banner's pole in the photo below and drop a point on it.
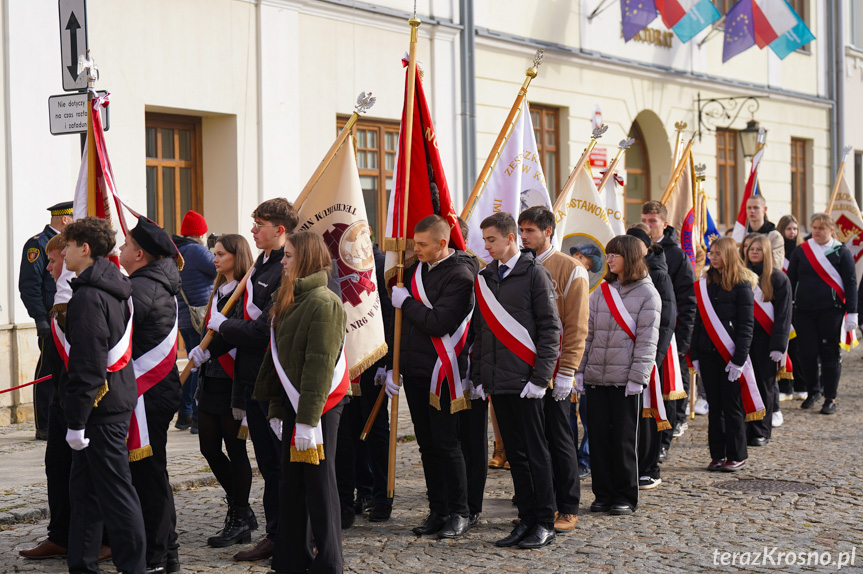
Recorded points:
(448, 348)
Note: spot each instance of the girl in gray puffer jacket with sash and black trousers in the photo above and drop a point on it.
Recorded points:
(615, 370)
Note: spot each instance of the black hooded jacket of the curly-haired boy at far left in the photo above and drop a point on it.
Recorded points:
(95, 321)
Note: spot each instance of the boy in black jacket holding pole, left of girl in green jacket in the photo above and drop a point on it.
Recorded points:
(274, 219)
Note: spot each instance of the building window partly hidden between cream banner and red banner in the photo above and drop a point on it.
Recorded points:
(376, 146)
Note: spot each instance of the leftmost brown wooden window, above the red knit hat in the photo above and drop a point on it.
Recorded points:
(174, 169)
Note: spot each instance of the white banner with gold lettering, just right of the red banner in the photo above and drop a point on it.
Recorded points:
(515, 183)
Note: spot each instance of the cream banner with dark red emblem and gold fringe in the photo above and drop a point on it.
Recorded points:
(335, 208)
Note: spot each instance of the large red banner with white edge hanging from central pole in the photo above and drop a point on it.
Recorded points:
(429, 193)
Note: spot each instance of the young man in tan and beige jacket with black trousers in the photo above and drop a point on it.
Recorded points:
(571, 290)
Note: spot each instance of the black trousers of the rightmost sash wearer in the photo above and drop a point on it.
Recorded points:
(818, 338)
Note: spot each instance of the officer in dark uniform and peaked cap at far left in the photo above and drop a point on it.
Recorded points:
(37, 289)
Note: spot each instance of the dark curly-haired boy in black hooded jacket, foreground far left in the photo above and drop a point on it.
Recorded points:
(99, 399)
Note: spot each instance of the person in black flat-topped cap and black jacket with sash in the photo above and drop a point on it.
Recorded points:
(148, 258)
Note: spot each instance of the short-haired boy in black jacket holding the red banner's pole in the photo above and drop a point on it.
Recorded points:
(447, 282)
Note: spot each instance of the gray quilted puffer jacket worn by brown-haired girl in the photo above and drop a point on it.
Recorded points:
(610, 356)
